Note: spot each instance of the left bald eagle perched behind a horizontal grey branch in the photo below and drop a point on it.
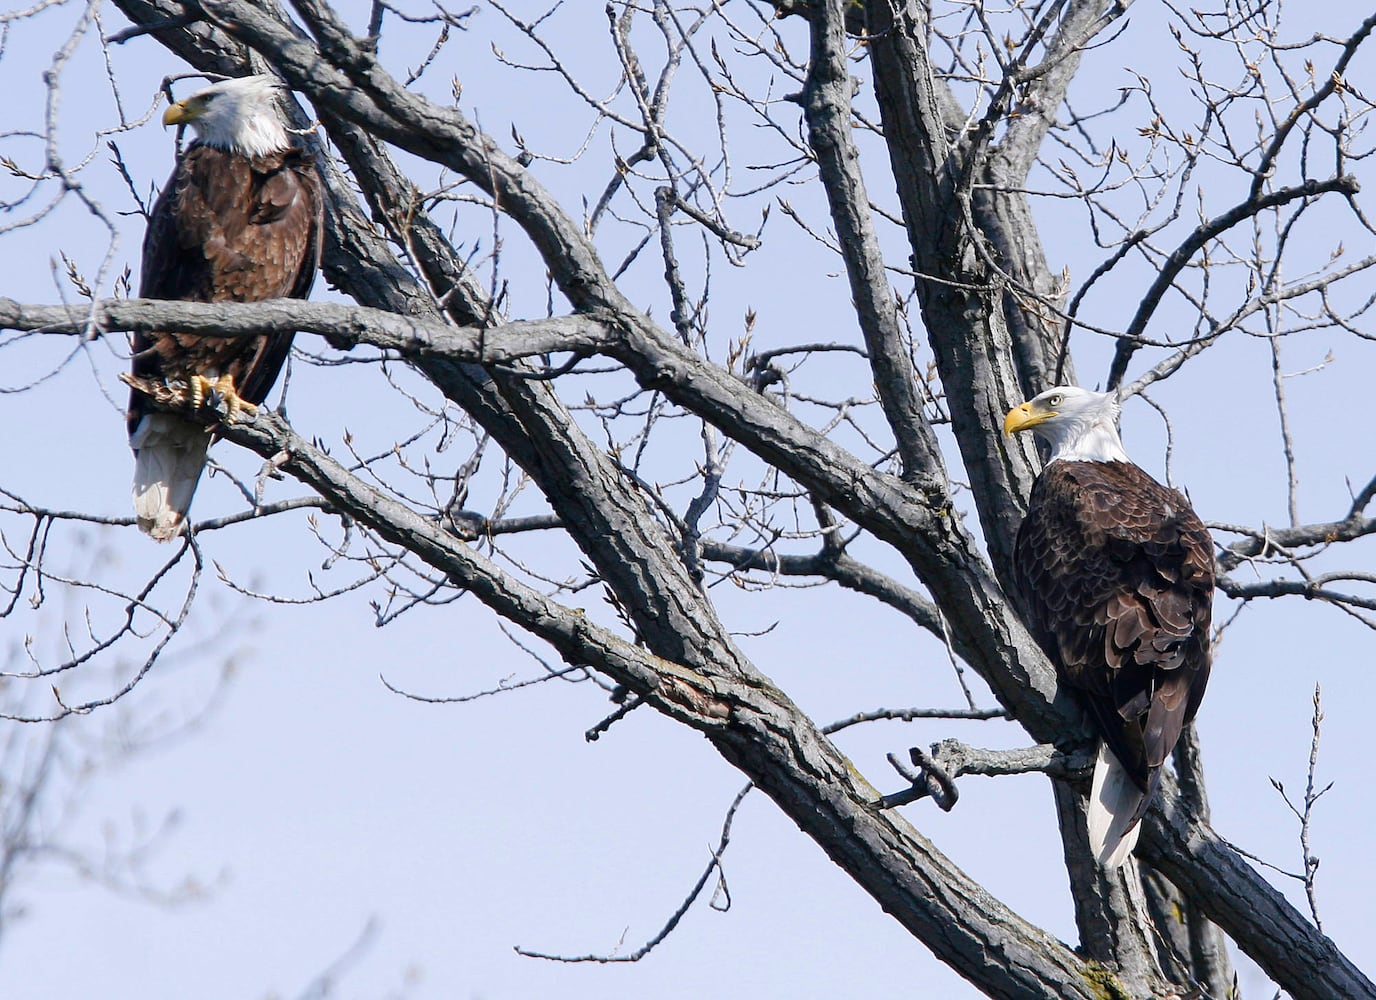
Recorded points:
(239, 221)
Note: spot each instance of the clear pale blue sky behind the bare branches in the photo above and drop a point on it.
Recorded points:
(301, 815)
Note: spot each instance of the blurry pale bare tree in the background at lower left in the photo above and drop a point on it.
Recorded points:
(49, 770)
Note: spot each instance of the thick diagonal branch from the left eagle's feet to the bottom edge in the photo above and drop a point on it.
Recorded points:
(753, 726)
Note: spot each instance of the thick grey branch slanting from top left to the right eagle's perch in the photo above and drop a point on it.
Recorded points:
(445, 137)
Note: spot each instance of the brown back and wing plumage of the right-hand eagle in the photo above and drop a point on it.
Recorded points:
(1118, 576)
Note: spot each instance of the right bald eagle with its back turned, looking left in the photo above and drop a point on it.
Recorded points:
(1117, 577)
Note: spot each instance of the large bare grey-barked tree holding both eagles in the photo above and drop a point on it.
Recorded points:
(548, 302)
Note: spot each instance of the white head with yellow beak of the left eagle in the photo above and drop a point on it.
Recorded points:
(240, 116)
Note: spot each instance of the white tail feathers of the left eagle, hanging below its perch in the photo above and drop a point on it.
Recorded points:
(169, 457)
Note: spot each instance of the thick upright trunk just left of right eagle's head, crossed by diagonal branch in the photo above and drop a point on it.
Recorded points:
(969, 335)
